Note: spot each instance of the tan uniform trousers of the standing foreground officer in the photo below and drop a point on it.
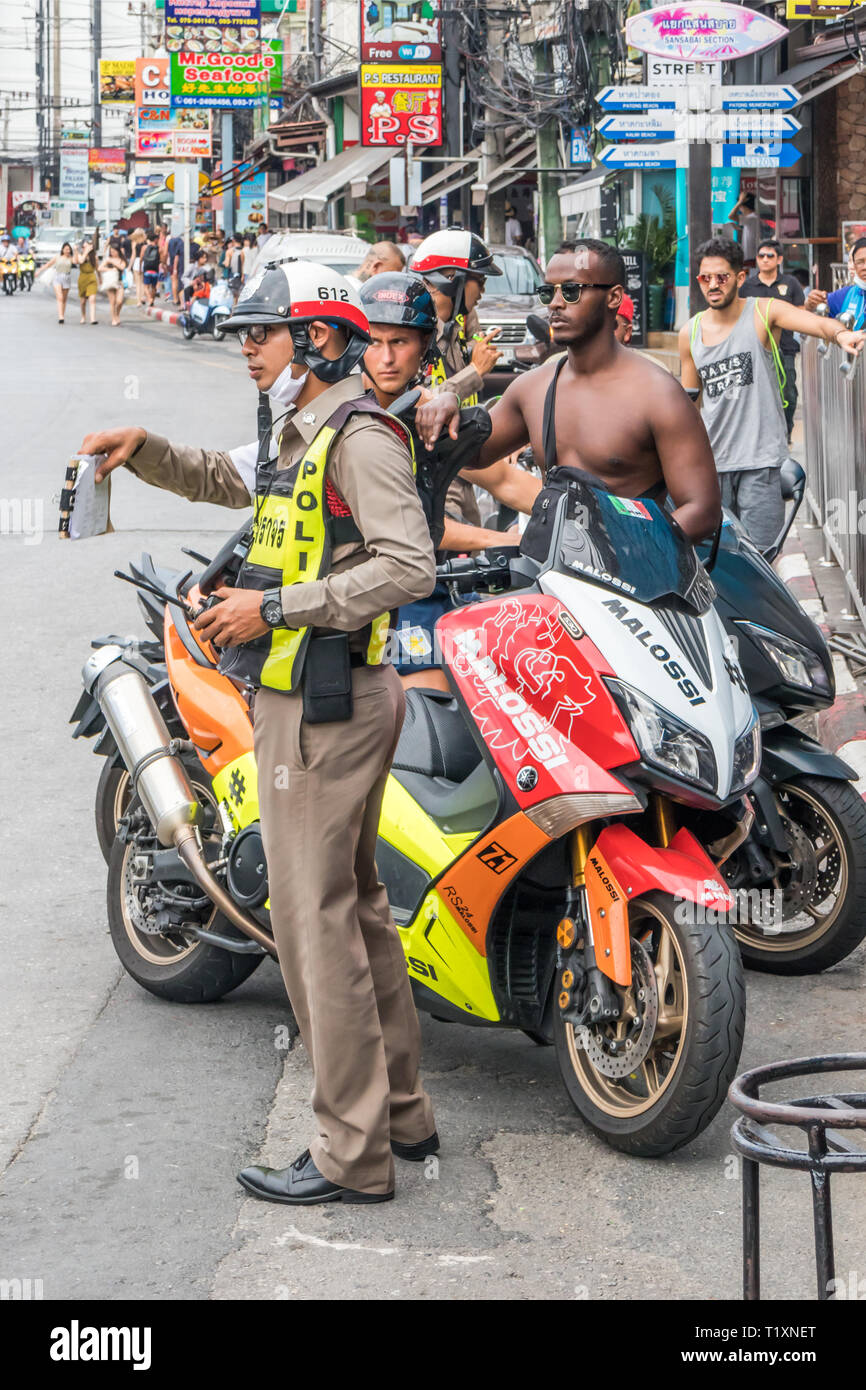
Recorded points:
(320, 790)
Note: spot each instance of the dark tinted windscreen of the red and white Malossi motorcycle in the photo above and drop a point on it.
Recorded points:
(629, 546)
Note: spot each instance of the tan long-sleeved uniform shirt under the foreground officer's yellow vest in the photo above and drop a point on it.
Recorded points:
(370, 469)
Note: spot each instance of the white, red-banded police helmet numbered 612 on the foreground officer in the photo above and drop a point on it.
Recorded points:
(298, 293)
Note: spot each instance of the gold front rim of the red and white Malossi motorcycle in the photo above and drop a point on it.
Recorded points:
(640, 1090)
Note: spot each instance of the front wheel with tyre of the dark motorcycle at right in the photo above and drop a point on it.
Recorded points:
(812, 914)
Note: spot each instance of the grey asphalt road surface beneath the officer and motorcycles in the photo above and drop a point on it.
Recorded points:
(124, 1120)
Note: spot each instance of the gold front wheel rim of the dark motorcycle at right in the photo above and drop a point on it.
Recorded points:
(819, 854)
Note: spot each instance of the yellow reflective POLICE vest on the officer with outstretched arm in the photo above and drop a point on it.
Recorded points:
(298, 522)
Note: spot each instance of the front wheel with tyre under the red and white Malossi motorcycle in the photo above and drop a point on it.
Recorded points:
(653, 1081)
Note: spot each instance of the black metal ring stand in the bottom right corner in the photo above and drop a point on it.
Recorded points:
(829, 1152)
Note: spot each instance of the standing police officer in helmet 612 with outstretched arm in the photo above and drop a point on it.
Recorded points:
(340, 519)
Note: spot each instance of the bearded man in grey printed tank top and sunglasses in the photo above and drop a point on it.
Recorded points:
(732, 362)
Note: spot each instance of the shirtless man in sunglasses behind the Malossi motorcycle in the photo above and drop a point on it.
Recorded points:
(618, 416)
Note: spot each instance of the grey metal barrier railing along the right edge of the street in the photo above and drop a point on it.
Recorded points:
(835, 418)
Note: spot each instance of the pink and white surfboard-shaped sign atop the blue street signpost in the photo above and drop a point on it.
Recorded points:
(703, 33)
